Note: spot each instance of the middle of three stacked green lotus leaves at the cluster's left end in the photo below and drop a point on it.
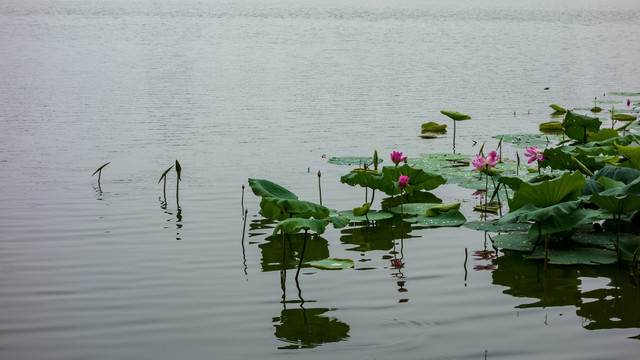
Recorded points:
(271, 208)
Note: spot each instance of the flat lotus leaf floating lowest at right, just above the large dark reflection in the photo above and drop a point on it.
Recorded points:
(577, 255)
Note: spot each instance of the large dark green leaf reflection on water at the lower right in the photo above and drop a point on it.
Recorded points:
(614, 305)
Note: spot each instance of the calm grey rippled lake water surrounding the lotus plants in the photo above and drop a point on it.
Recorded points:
(264, 89)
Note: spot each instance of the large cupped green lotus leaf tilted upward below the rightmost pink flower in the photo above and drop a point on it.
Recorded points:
(547, 193)
